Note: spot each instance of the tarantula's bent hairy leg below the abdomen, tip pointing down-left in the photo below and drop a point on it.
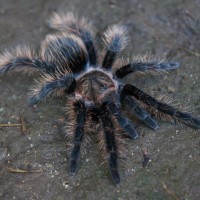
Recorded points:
(49, 84)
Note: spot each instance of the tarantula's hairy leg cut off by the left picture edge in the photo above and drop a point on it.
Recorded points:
(22, 59)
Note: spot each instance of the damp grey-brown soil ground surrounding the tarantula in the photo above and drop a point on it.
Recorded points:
(170, 28)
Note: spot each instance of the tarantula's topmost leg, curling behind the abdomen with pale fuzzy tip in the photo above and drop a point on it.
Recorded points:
(81, 27)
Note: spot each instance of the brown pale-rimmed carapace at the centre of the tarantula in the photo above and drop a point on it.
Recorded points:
(94, 85)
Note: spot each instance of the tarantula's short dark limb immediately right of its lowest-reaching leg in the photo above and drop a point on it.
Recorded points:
(112, 105)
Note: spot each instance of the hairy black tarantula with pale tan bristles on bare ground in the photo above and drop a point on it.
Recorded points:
(69, 65)
